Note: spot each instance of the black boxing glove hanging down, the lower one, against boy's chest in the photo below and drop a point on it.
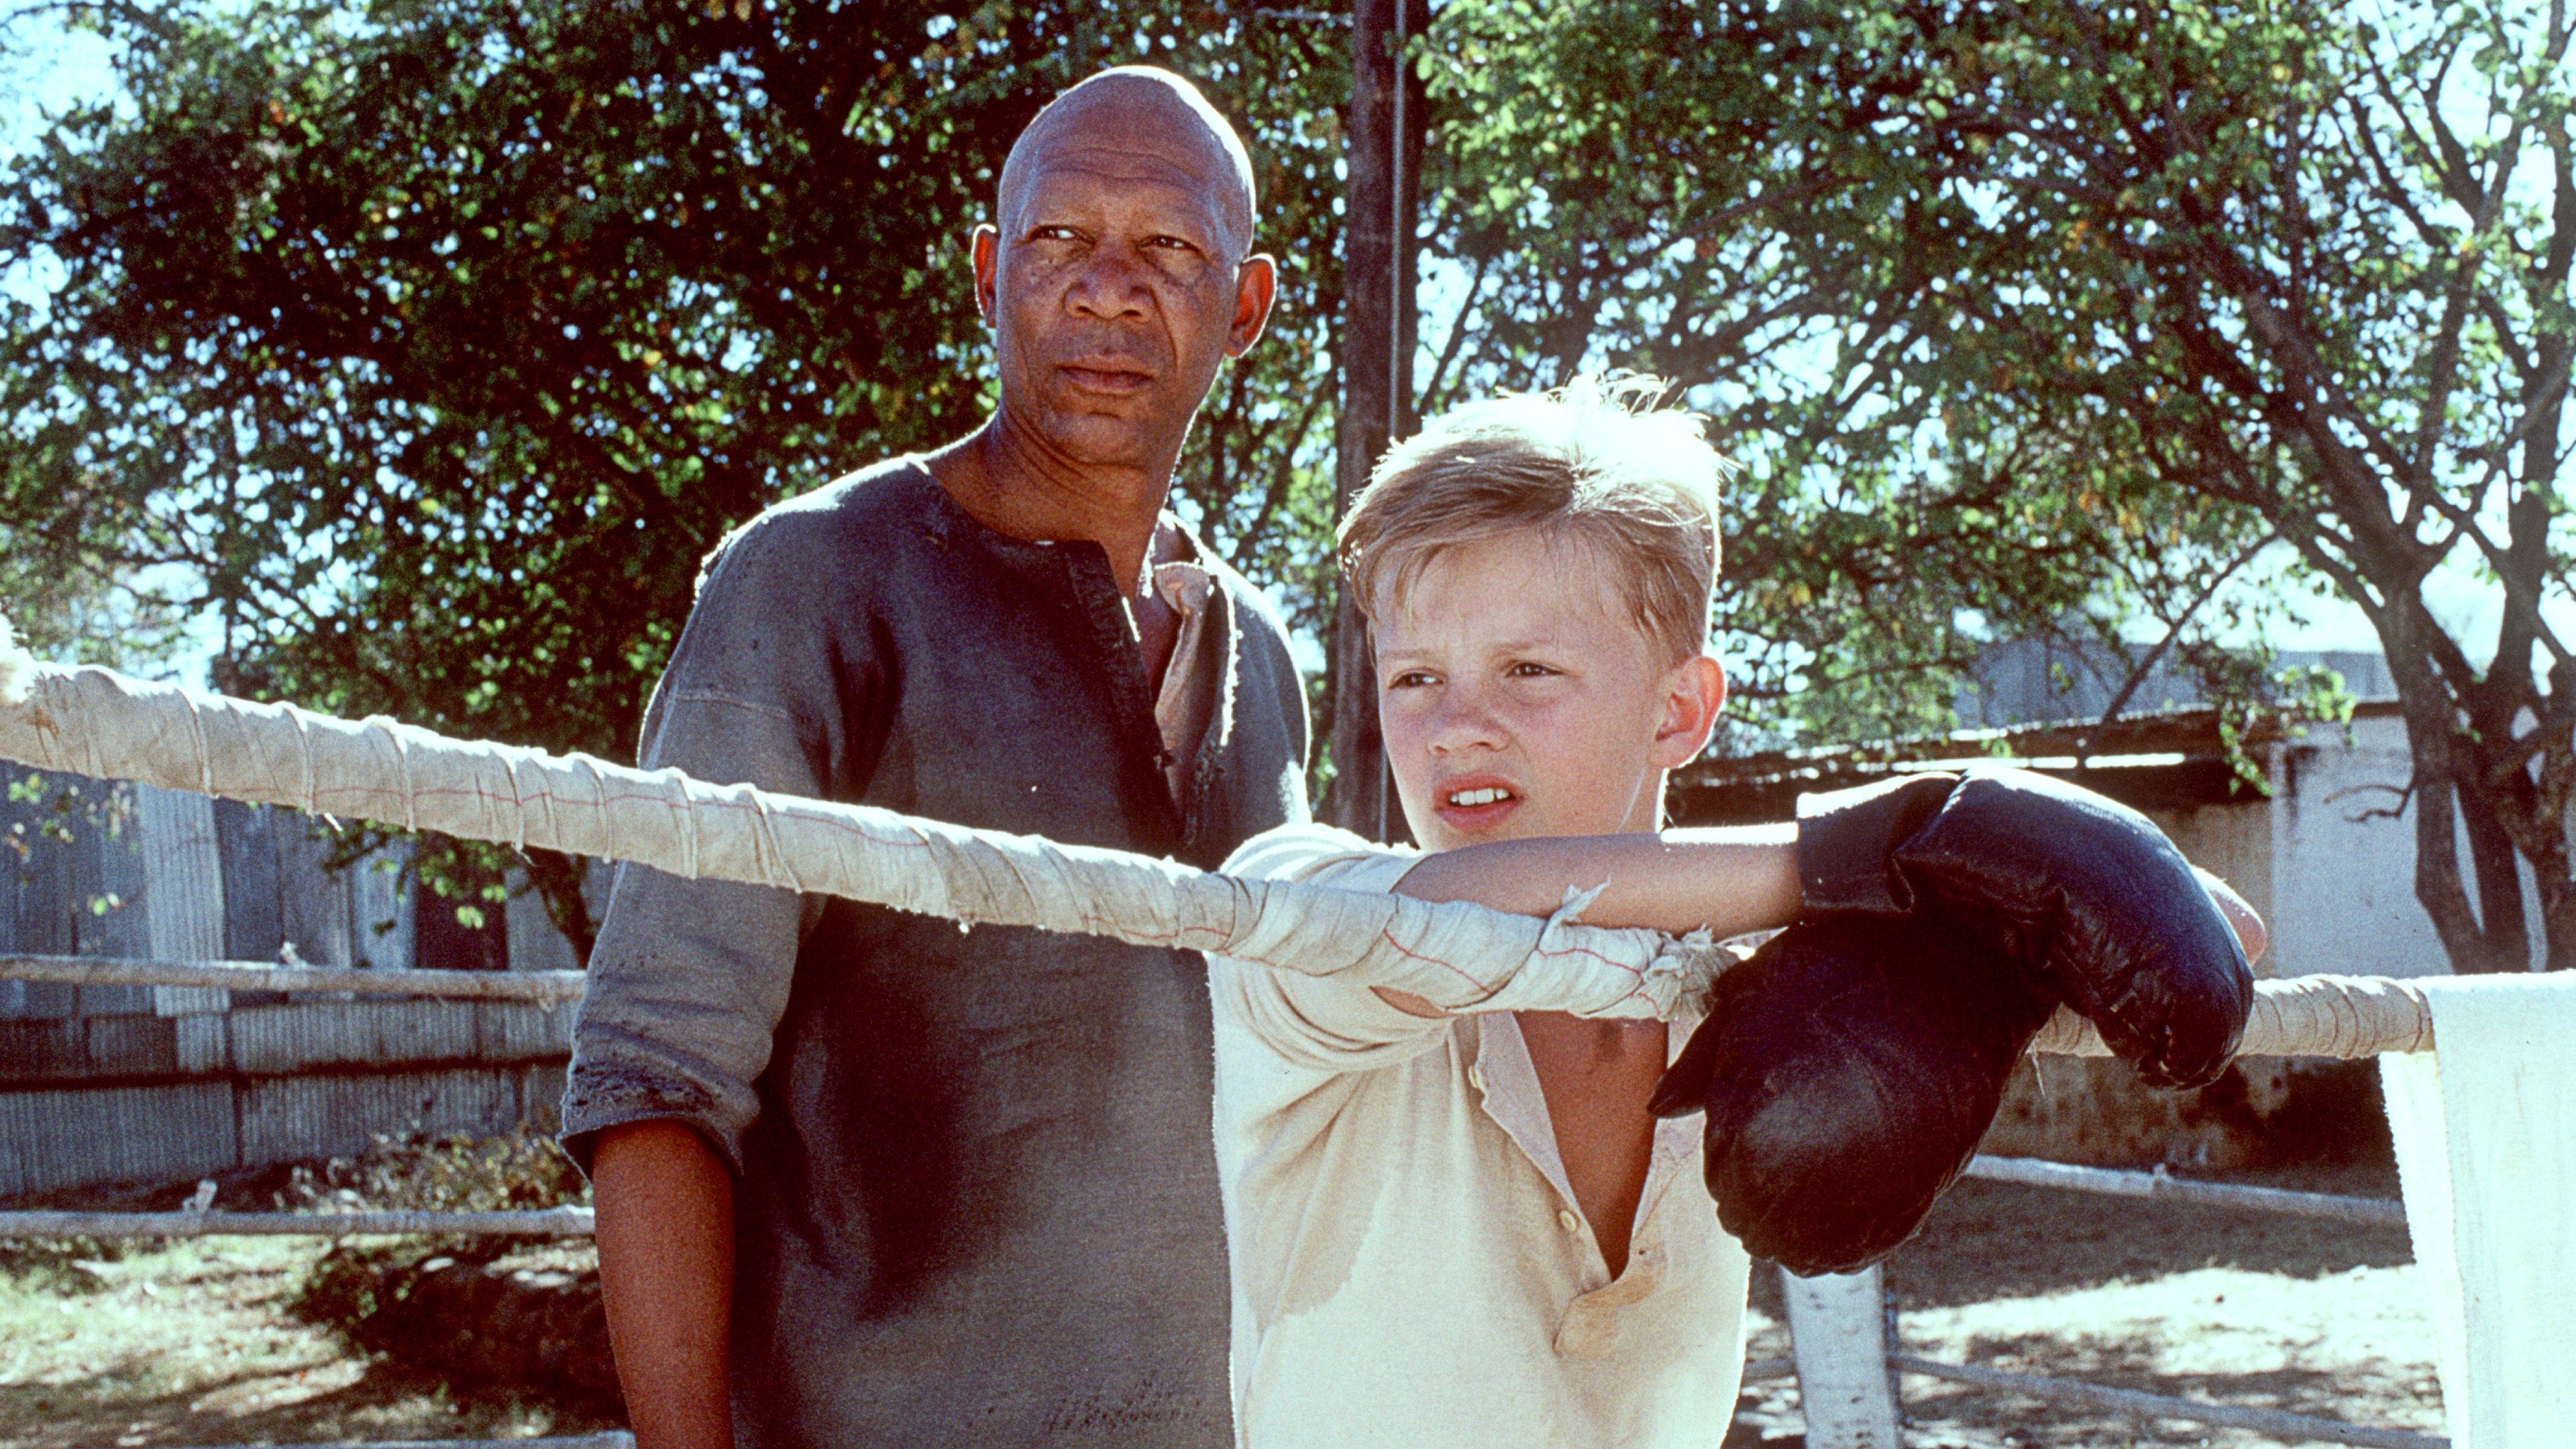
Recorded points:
(1848, 1074)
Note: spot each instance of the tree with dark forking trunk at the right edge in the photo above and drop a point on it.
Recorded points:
(2312, 275)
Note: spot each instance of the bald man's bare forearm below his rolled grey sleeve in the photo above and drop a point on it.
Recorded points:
(666, 1234)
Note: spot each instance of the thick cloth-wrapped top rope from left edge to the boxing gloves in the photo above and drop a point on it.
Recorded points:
(1454, 955)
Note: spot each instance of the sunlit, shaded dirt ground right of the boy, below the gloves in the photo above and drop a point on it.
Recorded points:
(2145, 1296)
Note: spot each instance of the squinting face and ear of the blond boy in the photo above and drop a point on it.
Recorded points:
(1519, 697)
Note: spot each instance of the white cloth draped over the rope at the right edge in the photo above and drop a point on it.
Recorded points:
(2487, 1156)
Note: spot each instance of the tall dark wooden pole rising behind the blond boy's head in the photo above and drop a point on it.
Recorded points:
(1379, 324)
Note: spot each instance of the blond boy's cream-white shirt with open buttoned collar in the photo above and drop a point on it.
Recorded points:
(1410, 1265)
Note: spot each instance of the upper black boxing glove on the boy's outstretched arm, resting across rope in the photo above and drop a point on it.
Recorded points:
(2075, 886)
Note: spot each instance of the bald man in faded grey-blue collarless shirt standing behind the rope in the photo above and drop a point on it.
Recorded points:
(867, 1177)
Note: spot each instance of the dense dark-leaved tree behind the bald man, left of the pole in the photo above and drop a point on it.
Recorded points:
(434, 344)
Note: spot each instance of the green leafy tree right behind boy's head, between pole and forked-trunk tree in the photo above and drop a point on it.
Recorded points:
(1704, 192)
